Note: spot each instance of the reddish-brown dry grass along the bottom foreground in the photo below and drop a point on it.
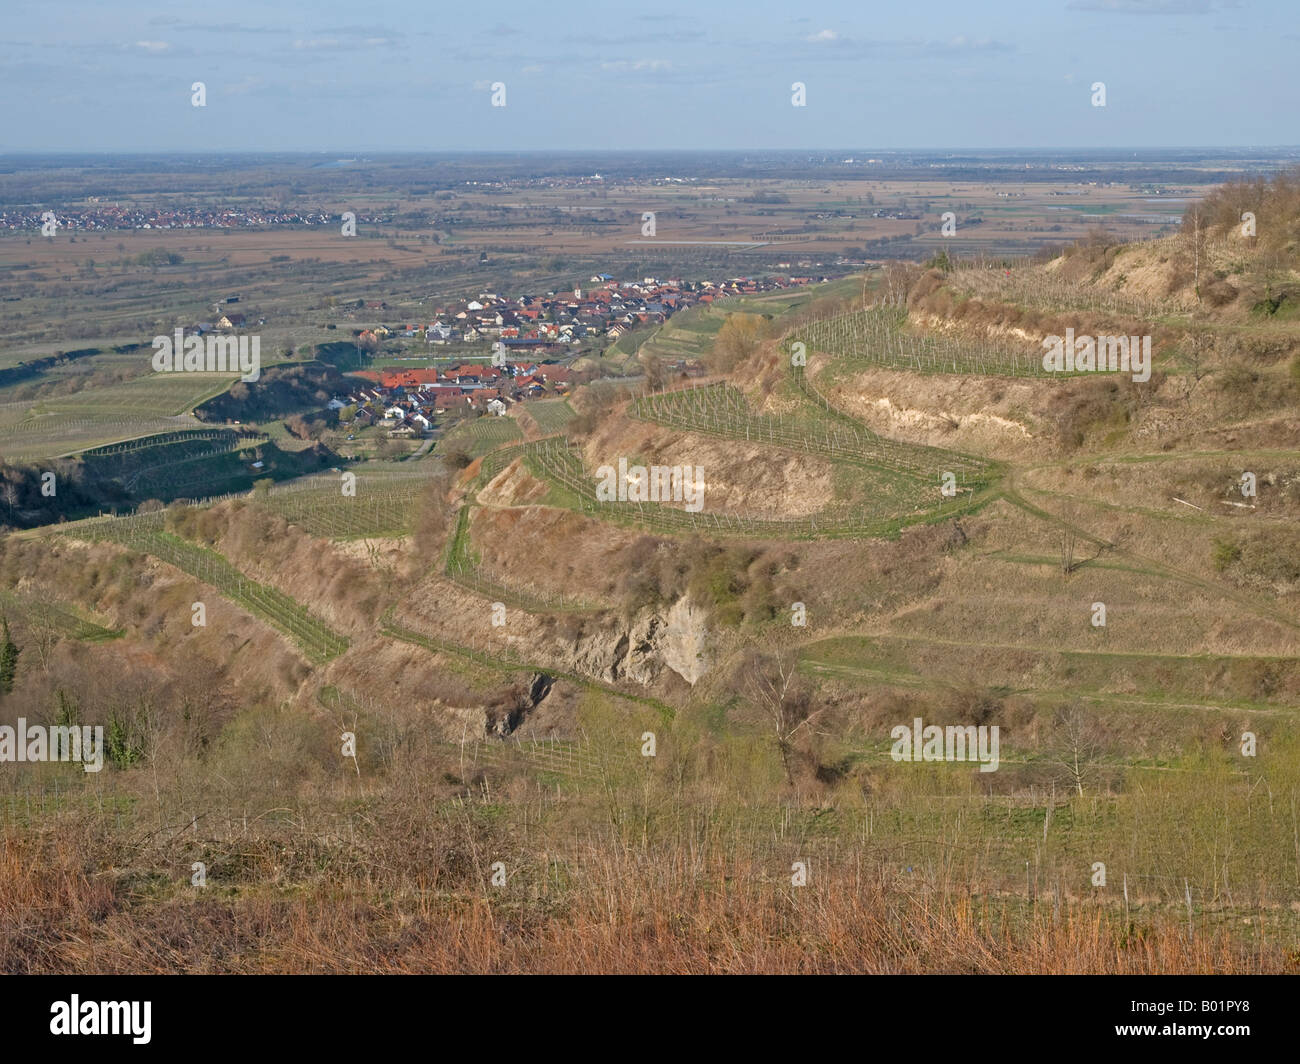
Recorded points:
(616, 912)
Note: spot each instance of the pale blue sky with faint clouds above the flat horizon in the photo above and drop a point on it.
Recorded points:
(115, 76)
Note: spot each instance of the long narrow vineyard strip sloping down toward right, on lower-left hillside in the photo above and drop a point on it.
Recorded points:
(146, 535)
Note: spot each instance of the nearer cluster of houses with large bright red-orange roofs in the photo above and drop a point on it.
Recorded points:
(408, 403)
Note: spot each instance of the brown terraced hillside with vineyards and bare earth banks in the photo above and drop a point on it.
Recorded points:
(904, 516)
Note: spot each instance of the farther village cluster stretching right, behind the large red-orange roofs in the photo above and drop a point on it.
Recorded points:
(552, 323)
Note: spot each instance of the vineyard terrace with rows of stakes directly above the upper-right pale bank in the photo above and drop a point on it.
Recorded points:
(878, 338)
